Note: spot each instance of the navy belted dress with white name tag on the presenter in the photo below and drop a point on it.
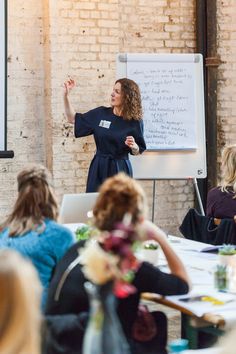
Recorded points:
(110, 132)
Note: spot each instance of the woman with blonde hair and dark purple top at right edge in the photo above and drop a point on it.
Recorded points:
(221, 200)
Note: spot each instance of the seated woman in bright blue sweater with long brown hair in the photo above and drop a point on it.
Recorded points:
(31, 227)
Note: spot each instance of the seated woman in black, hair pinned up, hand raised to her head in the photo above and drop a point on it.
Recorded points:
(118, 196)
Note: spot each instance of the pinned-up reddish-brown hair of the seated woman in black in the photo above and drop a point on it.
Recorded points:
(118, 196)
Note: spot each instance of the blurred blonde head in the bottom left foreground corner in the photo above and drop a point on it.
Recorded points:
(20, 297)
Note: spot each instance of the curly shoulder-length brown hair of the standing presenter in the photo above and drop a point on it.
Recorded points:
(131, 100)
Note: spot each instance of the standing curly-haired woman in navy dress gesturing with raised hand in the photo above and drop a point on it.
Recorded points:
(117, 130)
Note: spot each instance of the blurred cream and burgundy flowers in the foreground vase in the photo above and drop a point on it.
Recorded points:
(113, 258)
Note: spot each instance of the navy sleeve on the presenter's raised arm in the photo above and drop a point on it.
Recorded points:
(84, 123)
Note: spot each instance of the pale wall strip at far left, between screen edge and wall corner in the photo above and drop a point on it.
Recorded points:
(25, 95)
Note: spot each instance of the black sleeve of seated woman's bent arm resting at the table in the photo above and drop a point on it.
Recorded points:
(151, 279)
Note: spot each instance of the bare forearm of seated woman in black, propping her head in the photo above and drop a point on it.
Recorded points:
(175, 264)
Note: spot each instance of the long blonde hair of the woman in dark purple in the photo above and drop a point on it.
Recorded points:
(228, 164)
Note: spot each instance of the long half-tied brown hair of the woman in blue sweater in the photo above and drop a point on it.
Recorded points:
(35, 201)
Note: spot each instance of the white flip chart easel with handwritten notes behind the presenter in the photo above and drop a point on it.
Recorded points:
(172, 93)
